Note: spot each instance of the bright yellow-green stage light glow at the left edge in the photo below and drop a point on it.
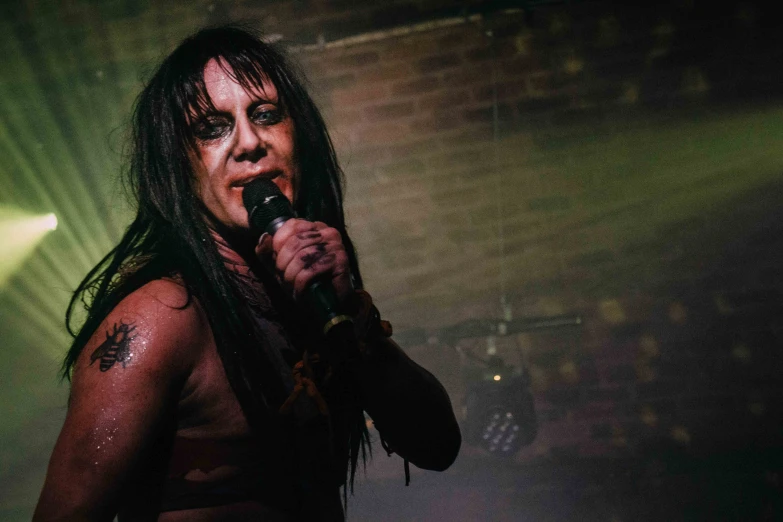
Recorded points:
(21, 232)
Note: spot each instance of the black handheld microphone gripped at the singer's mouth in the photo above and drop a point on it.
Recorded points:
(268, 210)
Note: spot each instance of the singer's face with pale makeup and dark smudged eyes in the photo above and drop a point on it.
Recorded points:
(247, 137)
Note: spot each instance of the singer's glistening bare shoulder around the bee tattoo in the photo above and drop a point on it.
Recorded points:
(159, 328)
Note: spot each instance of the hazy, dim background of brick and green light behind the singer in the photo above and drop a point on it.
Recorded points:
(505, 161)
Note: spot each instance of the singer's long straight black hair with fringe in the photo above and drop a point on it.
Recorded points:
(169, 235)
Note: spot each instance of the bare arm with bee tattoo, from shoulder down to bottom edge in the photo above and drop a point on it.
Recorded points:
(125, 387)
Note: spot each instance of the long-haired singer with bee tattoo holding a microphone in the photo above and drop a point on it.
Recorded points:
(201, 387)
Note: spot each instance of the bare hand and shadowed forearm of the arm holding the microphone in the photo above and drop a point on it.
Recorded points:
(410, 408)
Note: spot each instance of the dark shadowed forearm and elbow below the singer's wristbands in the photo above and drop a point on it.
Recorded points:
(410, 408)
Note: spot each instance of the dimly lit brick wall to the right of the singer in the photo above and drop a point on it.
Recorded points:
(574, 159)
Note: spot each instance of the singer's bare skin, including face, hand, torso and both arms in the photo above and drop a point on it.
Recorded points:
(160, 374)
